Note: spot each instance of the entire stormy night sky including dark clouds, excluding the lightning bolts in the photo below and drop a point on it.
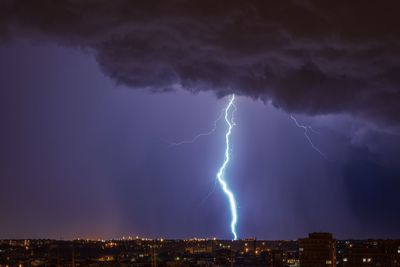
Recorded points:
(92, 93)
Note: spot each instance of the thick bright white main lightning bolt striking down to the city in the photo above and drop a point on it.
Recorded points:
(221, 172)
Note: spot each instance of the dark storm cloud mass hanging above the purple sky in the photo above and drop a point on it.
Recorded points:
(314, 57)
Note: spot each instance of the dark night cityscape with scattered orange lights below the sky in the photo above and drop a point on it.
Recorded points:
(316, 250)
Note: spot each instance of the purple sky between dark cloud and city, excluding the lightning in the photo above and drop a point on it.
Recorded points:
(84, 157)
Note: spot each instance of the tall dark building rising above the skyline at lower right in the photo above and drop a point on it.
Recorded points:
(318, 250)
